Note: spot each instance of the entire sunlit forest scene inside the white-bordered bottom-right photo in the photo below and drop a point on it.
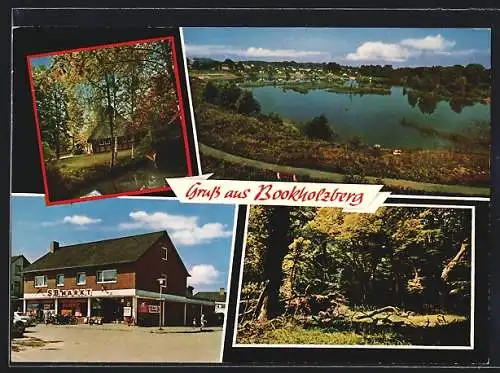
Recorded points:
(321, 276)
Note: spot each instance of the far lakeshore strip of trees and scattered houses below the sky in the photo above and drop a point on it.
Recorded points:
(459, 85)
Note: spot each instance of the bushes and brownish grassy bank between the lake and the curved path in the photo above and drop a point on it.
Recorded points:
(224, 123)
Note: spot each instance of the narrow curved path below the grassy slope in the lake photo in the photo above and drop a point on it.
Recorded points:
(338, 178)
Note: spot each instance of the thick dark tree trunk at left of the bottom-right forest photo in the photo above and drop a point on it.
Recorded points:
(277, 244)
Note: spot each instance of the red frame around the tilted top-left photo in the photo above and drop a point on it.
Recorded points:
(182, 112)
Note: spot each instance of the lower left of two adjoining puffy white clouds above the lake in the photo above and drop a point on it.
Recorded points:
(377, 50)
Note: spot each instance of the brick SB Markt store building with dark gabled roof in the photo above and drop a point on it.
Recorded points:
(115, 279)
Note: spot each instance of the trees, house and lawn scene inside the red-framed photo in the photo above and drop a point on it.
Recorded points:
(105, 112)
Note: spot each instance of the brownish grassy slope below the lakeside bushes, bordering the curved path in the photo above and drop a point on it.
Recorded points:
(274, 143)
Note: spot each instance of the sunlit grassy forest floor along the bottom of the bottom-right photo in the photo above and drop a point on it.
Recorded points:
(412, 330)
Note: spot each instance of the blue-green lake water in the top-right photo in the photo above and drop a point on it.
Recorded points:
(376, 118)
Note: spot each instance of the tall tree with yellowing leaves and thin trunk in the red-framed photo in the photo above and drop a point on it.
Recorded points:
(133, 81)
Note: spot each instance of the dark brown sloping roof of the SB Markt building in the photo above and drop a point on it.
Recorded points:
(112, 251)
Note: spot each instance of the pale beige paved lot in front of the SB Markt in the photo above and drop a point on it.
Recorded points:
(116, 343)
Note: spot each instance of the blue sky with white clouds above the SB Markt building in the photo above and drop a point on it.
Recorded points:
(202, 233)
